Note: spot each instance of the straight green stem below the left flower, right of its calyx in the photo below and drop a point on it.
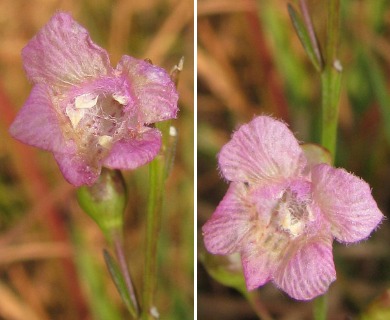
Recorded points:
(156, 171)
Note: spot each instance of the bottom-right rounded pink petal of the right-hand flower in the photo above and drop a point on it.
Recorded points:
(308, 270)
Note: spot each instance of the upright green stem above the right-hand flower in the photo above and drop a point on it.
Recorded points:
(331, 80)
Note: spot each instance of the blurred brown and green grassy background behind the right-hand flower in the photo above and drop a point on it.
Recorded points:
(250, 62)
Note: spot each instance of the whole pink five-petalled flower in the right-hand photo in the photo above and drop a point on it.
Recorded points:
(281, 213)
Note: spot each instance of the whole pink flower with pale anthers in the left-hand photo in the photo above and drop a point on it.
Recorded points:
(85, 112)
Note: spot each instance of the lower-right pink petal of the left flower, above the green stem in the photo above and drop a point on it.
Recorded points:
(135, 152)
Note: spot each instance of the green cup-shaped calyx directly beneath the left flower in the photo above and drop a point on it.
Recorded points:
(105, 201)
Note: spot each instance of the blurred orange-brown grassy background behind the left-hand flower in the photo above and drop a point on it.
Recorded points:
(51, 264)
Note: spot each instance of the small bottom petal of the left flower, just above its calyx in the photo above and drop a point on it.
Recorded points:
(76, 169)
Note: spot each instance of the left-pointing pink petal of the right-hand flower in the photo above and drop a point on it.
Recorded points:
(229, 224)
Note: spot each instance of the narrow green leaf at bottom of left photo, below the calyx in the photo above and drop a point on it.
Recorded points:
(119, 281)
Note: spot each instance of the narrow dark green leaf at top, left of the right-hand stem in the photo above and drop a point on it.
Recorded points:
(304, 37)
